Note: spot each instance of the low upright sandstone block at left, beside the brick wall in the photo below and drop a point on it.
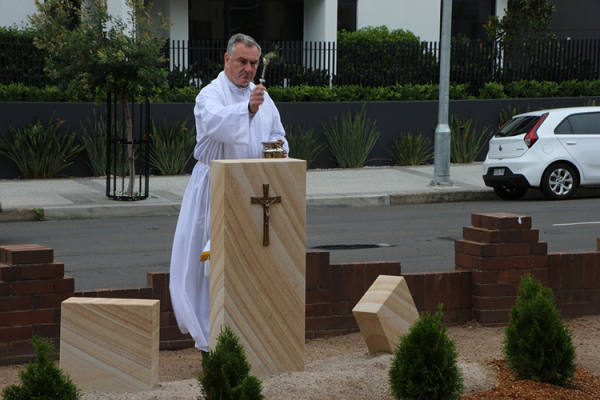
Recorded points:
(110, 345)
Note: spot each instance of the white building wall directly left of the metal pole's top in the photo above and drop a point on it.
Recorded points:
(420, 17)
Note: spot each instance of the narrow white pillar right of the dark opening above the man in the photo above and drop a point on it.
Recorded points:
(320, 20)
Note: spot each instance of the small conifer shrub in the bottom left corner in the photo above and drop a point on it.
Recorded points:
(42, 379)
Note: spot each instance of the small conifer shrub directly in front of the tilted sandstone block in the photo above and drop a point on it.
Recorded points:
(424, 364)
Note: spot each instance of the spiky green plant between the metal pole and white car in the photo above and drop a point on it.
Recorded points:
(465, 141)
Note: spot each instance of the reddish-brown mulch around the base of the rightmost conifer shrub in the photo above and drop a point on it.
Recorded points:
(585, 387)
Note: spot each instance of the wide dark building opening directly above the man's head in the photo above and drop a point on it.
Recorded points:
(263, 19)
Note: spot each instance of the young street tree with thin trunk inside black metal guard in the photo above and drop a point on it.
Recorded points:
(88, 48)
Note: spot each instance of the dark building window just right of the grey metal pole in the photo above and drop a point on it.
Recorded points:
(469, 16)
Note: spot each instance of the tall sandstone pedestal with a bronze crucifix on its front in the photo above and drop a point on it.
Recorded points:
(258, 250)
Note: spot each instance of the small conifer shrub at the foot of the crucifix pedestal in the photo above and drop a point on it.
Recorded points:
(225, 371)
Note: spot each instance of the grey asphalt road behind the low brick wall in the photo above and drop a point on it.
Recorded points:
(114, 253)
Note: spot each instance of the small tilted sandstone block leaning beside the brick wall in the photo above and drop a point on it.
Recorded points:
(385, 312)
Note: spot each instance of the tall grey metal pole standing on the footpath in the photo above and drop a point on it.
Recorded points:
(441, 161)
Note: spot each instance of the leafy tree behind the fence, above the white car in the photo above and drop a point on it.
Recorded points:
(524, 19)
